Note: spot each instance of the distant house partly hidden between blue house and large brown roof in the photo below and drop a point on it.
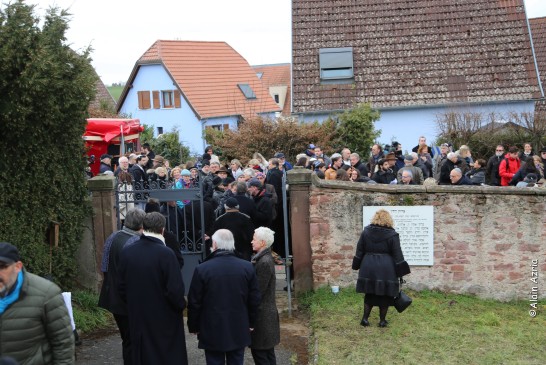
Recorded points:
(276, 78)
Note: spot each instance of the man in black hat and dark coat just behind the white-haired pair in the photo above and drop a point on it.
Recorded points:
(240, 225)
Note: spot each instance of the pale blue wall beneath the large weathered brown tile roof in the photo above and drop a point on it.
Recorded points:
(406, 125)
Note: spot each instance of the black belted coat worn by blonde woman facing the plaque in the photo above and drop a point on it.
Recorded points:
(377, 251)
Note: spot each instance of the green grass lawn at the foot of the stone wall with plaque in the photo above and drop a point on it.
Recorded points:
(437, 328)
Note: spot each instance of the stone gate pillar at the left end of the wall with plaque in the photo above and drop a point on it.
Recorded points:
(299, 181)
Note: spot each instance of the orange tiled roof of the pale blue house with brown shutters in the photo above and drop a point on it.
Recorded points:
(207, 74)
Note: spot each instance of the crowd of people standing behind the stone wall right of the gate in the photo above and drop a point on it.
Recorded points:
(514, 167)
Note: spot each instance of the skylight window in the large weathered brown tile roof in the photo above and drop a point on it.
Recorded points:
(336, 63)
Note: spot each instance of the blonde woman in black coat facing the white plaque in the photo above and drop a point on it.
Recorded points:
(377, 252)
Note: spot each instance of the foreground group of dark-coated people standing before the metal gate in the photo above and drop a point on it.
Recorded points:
(230, 303)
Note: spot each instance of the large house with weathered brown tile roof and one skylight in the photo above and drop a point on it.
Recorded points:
(412, 60)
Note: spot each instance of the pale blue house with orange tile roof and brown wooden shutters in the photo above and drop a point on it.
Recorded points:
(193, 85)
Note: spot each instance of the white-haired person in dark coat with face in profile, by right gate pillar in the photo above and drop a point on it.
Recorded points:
(266, 334)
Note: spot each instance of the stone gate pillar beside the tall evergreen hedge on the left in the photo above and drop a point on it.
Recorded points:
(103, 201)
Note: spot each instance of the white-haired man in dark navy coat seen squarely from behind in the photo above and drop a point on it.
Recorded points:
(223, 302)
